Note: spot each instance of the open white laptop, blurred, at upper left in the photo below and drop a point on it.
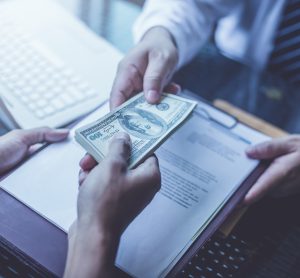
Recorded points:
(53, 69)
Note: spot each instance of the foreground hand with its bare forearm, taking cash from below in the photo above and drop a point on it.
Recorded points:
(110, 197)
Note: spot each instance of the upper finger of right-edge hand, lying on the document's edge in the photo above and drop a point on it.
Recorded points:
(269, 149)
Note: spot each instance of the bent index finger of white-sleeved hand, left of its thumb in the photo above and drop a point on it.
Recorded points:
(128, 81)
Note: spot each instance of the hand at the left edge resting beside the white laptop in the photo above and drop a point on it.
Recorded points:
(15, 145)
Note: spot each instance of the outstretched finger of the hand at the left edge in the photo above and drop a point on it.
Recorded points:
(41, 135)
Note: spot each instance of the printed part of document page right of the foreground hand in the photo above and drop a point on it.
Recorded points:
(202, 164)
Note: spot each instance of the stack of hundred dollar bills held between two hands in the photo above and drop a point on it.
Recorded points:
(147, 124)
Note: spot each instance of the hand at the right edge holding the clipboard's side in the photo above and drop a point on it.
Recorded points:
(282, 178)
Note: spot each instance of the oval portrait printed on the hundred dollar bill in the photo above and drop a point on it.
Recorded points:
(142, 124)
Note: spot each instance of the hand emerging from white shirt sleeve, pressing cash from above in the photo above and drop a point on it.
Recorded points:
(149, 67)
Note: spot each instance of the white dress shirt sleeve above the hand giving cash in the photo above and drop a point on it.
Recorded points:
(190, 22)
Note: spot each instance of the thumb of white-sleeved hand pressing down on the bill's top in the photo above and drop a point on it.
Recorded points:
(157, 75)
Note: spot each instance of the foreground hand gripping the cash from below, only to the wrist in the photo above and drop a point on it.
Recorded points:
(111, 185)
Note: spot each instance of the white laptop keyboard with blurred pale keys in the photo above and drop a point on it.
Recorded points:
(36, 77)
